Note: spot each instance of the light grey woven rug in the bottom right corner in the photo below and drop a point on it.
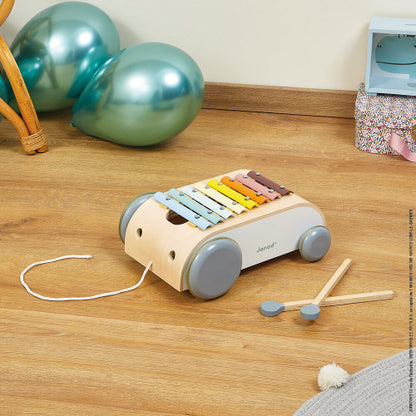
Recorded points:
(383, 389)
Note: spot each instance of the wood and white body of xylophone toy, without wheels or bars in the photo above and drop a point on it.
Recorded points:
(262, 233)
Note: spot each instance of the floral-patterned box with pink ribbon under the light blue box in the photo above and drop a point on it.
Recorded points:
(386, 124)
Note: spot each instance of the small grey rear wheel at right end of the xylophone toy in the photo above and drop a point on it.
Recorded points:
(314, 243)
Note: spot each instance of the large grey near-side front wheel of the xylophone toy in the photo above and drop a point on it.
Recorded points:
(213, 268)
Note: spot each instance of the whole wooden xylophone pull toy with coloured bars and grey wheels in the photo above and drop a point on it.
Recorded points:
(200, 236)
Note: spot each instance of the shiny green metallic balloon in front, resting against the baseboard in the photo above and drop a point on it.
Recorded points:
(142, 96)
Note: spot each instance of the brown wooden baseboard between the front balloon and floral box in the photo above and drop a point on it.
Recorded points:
(285, 100)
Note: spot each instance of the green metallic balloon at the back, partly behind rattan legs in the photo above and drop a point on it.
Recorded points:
(59, 50)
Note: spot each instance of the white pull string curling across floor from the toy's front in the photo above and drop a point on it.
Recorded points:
(75, 256)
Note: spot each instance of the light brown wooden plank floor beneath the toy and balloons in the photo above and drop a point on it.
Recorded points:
(155, 351)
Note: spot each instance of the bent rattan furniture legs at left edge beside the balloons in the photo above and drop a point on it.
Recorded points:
(27, 126)
